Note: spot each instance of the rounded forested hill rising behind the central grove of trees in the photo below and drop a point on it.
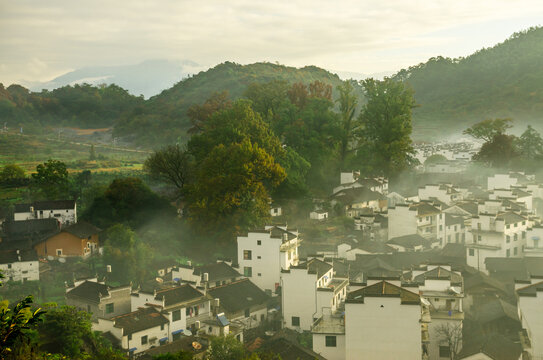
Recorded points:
(163, 118)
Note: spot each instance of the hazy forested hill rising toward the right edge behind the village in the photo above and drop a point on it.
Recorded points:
(503, 81)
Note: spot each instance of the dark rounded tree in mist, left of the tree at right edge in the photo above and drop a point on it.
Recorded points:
(498, 152)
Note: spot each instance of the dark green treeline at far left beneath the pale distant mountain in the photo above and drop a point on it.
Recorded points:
(79, 106)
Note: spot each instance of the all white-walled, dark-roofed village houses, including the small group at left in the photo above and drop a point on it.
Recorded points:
(453, 271)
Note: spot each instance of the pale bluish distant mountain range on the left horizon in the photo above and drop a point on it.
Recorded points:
(147, 78)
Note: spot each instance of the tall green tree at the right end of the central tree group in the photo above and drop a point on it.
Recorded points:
(386, 121)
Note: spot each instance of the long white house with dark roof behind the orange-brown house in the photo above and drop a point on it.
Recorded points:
(65, 211)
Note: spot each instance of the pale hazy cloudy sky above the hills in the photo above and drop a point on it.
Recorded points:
(41, 39)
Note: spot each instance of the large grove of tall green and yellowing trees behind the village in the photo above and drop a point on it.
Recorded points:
(287, 141)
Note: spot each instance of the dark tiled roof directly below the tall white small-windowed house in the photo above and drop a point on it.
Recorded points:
(239, 295)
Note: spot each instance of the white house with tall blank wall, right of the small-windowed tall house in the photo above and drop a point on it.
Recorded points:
(307, 289)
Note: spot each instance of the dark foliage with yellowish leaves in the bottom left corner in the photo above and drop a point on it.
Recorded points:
(15, 323)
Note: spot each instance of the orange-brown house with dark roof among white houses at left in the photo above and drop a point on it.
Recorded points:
(80, 239)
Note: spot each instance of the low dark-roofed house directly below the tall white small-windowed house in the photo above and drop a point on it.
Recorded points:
(242, 301)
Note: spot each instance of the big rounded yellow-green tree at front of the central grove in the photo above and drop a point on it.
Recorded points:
(232, 187)
